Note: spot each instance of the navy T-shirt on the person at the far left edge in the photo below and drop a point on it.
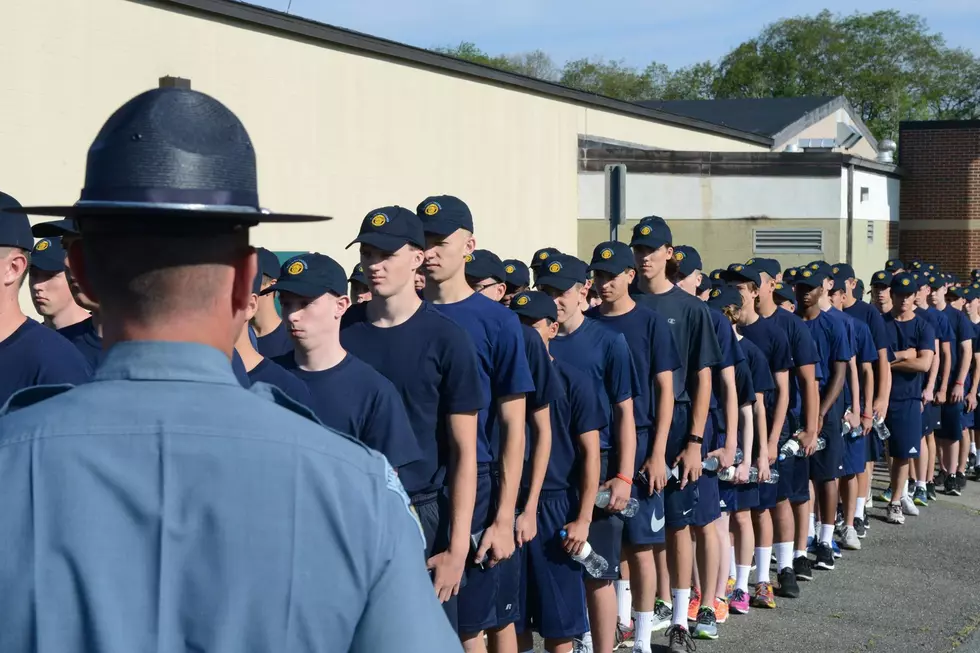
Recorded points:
(36, 355)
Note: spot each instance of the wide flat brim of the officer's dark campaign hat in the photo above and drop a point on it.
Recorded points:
(136, 209)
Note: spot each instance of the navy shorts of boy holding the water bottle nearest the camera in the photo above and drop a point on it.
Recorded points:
(552, 596)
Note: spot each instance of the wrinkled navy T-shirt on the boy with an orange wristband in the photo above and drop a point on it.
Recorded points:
(604, 355)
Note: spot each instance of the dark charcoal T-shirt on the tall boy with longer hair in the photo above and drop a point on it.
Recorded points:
(694, 336)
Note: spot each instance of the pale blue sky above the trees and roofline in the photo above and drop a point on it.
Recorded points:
(675, 32)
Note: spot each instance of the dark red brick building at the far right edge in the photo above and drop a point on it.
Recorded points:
(939, 216)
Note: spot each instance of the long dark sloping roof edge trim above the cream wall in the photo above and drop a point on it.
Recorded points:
(278, 23)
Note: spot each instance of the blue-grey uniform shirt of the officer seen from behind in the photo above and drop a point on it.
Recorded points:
(163, 508)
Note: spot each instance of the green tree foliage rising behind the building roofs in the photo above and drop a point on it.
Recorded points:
(888, 64)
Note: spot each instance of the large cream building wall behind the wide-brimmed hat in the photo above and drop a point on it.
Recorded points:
(336, 132)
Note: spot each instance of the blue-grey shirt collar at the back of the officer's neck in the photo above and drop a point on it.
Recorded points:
(165, 361)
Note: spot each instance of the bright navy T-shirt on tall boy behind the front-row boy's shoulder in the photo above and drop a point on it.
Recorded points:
(496, 332)
